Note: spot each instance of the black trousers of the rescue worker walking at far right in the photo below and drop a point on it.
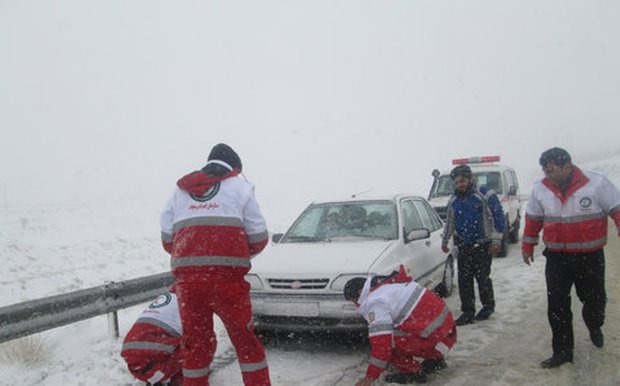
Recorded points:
(587, 272)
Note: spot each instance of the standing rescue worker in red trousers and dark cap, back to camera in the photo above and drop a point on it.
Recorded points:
(212, 226)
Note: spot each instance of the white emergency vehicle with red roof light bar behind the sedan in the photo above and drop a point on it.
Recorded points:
(490, 172)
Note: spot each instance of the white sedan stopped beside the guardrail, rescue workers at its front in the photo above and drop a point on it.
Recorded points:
(297, 282)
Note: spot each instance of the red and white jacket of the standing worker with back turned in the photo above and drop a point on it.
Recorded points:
(212, 226)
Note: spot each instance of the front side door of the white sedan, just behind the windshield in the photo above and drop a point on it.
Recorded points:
(418, 253)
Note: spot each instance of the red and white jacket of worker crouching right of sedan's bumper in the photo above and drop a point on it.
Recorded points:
(398, 307)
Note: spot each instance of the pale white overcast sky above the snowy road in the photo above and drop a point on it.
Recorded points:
(114, 99)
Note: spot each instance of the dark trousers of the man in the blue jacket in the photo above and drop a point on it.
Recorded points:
(474, 262)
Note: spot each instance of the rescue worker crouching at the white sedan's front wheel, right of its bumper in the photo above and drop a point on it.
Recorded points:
(405, 322)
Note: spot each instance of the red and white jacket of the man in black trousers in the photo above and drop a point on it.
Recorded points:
(576, 221)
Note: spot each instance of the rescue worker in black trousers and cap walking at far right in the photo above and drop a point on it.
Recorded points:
(572, 207)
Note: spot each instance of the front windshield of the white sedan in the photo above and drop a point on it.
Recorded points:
(345, 220)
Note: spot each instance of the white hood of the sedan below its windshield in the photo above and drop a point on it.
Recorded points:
(325, 258)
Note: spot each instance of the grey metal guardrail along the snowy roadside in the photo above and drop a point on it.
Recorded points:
(22, 319)
